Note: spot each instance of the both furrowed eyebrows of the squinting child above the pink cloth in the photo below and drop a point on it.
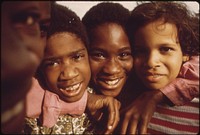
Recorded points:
(59, 57)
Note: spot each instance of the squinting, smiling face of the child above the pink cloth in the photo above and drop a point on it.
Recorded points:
(66, 66)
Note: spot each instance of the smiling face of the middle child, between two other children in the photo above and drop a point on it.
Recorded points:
(110, 59)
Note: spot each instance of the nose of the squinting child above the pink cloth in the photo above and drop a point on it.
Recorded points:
(68, 71)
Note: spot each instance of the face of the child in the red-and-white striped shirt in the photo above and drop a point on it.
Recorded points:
(157, 55)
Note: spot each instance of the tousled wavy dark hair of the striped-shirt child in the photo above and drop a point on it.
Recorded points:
(187, 22)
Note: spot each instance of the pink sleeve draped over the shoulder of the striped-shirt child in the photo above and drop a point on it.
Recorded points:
(186, 86)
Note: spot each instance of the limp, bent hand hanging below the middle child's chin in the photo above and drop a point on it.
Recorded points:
(104, 109)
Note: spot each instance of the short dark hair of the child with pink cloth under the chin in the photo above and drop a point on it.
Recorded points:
(65, 20)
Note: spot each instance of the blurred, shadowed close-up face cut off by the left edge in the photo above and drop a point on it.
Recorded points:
(22, 48)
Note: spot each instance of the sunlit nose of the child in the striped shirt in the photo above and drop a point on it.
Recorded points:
(152, 60)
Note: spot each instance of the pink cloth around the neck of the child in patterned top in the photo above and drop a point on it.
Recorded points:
(48, 105)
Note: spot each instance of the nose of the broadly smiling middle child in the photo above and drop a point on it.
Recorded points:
(112, 66)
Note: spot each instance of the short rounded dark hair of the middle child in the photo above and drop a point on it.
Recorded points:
(105, 12)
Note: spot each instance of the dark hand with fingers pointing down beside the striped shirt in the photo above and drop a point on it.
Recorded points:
(136, 116)
